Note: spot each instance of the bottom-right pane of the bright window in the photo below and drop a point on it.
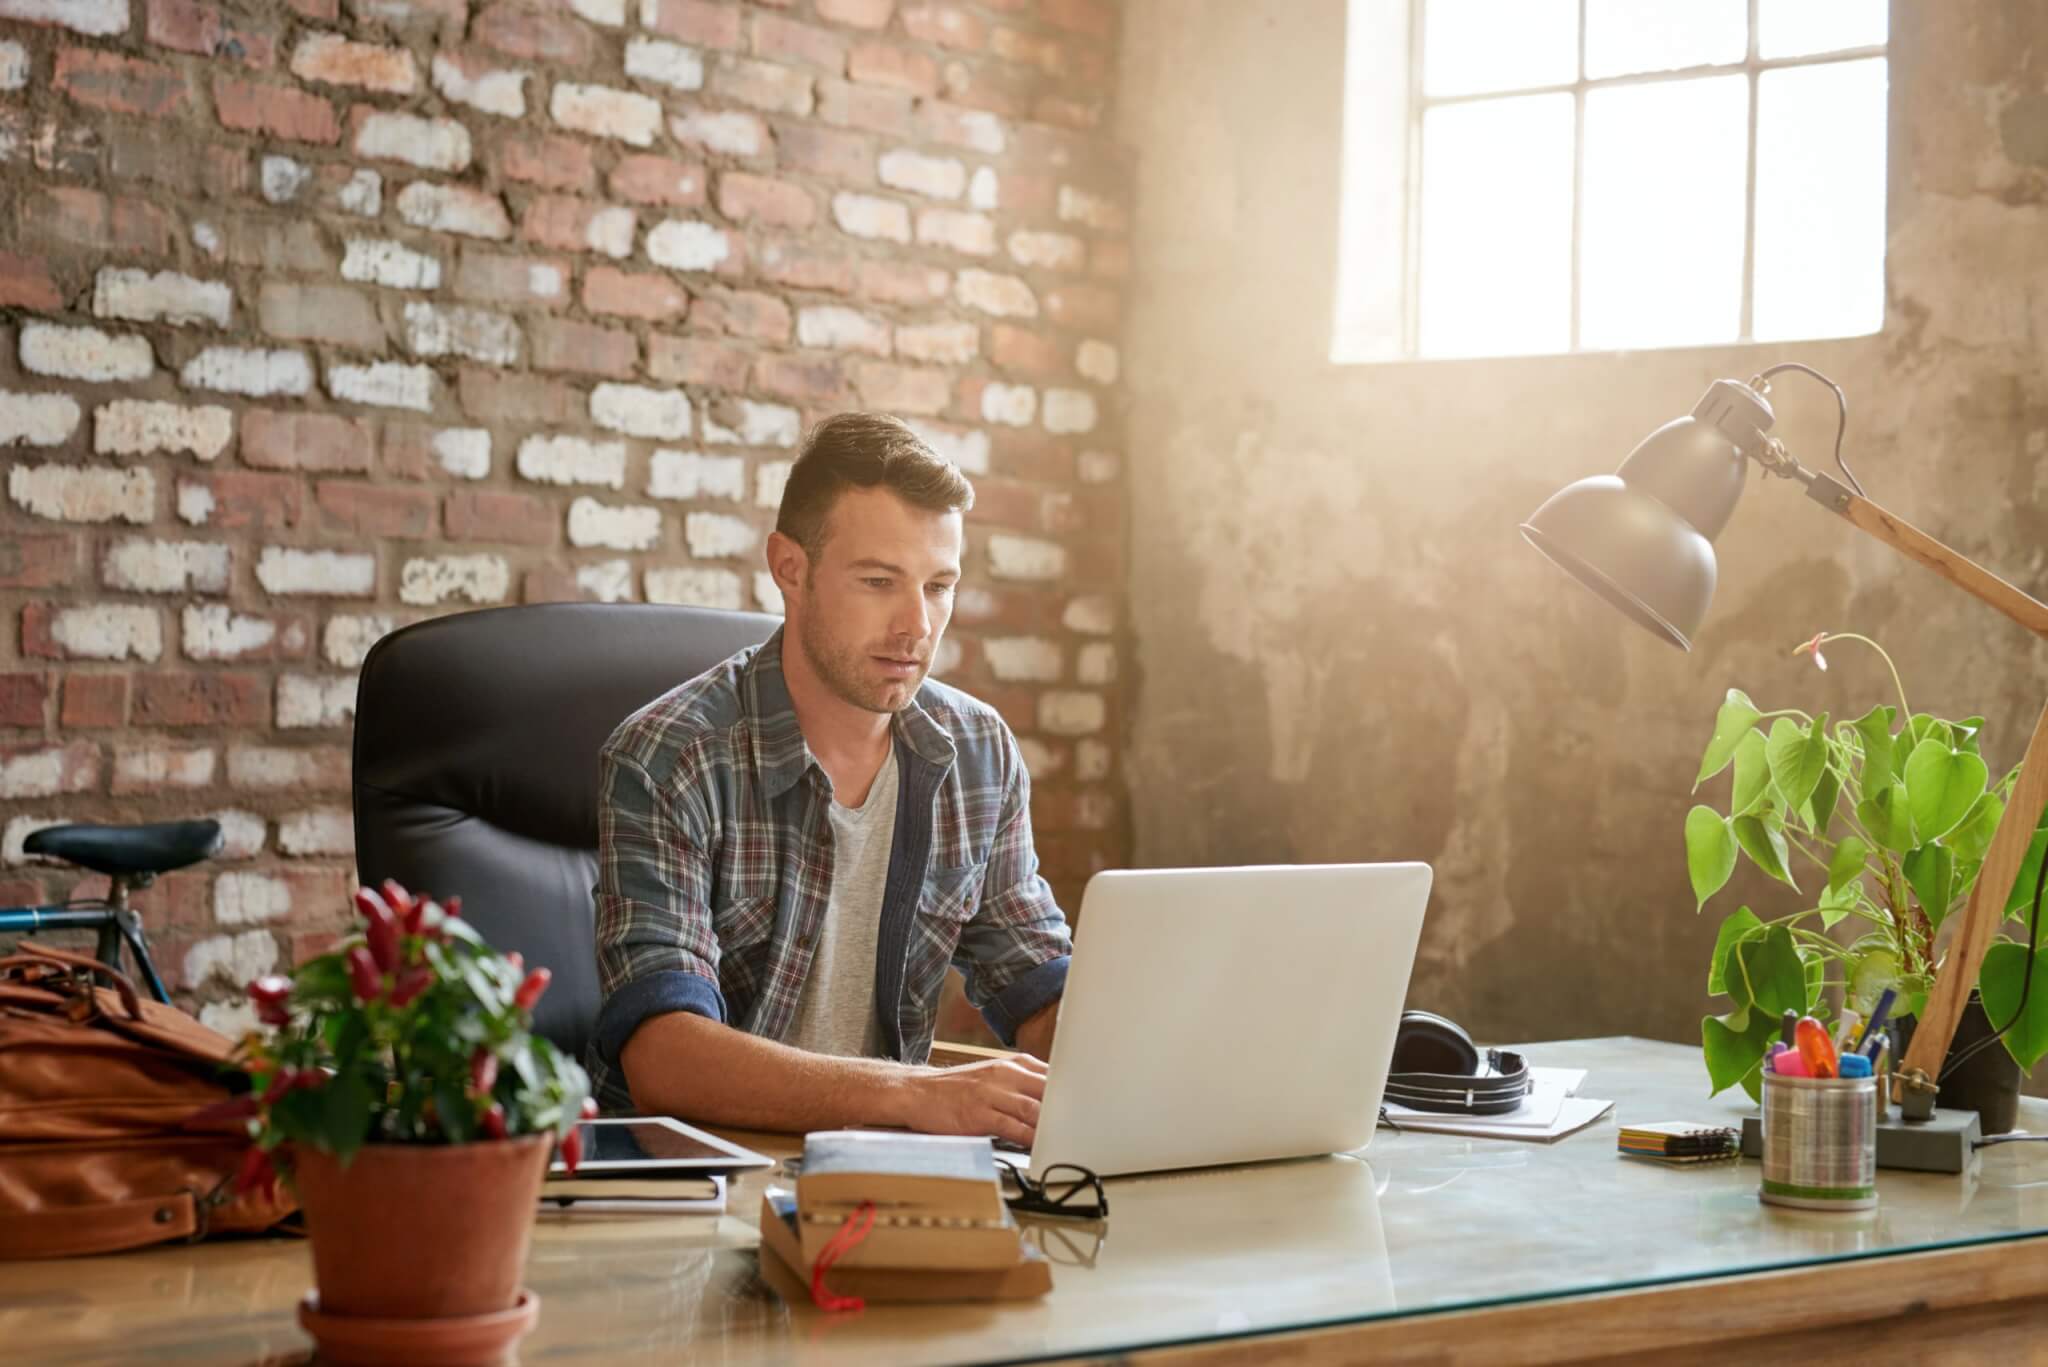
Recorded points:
(1822, 202)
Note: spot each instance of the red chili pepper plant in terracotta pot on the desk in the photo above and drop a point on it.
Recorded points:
(407, 1097)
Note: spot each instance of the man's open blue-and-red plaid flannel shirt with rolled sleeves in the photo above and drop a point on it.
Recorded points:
(716, 868)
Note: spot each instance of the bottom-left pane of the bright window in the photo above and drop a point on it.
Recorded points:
(1496, 226)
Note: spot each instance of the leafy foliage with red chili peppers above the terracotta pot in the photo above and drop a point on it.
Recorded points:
(411, 1032)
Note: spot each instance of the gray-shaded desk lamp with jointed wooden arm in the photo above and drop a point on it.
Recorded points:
(1644, 540)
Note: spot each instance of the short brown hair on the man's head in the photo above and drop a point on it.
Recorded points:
(863, 450)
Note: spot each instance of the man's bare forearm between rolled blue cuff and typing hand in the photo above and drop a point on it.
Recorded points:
(701, 1071)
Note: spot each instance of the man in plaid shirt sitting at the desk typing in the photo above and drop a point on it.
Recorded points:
(794, 845)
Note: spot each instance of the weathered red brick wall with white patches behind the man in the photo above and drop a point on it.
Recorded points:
(325, 317)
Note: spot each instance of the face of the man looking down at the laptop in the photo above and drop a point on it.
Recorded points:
(876, 602)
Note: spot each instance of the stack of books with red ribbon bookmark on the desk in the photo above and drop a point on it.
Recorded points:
(941, 1227)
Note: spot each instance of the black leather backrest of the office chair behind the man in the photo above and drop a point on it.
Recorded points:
(476, 765)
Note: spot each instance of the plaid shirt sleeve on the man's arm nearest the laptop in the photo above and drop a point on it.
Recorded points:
(1015, 950)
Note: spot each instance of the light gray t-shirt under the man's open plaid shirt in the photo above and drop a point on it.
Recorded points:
(837, 1011)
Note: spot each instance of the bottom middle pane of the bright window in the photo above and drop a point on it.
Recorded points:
(1662, 249)
